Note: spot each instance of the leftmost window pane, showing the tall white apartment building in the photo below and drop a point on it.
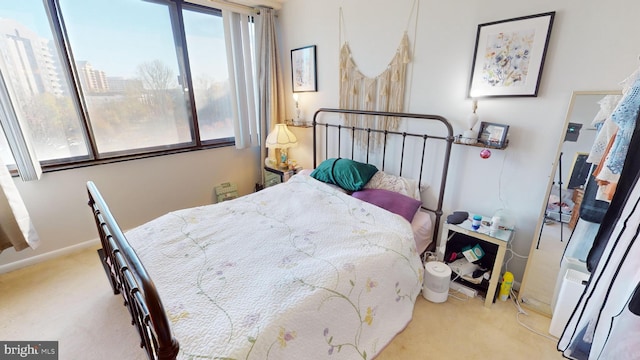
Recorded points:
(39, 90)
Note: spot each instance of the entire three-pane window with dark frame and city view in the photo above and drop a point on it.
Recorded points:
(116, 78)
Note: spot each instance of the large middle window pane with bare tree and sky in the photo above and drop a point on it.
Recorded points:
(127, 64)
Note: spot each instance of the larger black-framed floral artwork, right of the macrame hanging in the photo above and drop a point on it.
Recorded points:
(509, 56)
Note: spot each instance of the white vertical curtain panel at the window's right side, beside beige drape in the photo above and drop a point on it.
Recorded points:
(243, 88)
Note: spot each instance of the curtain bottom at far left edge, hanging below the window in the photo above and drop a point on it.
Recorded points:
(16, 229)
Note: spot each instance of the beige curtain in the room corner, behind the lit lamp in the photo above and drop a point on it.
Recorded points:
(270, 83)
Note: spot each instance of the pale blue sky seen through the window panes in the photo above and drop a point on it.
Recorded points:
(117, 35)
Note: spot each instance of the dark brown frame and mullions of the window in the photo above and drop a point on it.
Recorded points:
(69, 70)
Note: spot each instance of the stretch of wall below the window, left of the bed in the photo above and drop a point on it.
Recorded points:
(136, 191)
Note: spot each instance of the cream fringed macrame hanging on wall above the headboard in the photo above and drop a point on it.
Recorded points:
(384, 92)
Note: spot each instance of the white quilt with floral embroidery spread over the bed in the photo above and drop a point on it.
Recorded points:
(295, 271)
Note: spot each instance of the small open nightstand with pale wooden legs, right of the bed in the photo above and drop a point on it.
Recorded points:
(454, 238)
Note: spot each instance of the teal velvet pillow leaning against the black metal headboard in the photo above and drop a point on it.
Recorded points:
(348, 174)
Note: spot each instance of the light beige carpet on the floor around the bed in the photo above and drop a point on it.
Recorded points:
(70, 301)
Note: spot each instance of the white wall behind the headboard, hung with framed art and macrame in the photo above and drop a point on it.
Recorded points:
(591, 48)
